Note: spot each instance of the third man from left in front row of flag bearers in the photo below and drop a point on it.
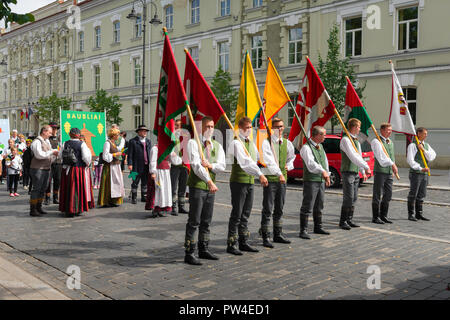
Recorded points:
(275, 193)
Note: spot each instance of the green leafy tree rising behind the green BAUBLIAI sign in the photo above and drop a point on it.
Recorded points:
(102, 103)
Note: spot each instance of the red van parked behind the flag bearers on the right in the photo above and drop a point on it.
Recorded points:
(331, 146)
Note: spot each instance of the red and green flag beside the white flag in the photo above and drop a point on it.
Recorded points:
(355, 109)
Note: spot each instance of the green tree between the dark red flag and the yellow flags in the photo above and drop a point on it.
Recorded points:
(225, 93)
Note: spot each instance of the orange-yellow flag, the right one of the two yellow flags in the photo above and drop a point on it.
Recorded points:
(275, 95)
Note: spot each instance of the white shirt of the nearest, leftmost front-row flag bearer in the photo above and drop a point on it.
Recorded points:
(196, 163)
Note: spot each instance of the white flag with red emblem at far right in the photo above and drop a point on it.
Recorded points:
(399, 117)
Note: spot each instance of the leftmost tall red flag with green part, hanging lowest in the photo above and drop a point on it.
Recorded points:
(171, 102)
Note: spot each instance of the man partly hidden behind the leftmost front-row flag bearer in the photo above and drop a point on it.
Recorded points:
(178, 175)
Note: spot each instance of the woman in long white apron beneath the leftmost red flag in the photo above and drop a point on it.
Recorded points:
(159, 186)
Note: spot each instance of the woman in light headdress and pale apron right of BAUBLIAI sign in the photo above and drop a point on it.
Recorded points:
(111, 183)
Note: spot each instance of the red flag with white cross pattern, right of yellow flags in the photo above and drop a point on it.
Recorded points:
(314, 105)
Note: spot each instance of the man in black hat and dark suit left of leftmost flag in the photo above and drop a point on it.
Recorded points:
(138, 161)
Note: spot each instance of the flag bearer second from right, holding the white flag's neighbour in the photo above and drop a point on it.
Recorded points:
(383, 170)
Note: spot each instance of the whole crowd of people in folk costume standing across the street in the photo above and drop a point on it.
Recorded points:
(76, 172)
